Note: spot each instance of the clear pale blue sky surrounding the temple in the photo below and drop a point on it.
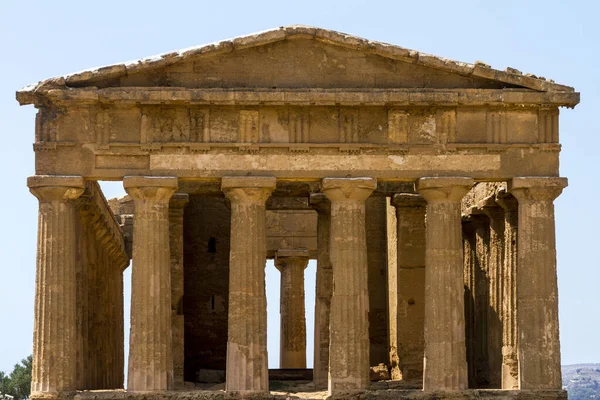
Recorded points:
(555, 39)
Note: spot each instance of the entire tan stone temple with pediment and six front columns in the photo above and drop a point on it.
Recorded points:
(423, 187)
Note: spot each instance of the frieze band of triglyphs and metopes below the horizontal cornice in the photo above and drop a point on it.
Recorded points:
(155, 127)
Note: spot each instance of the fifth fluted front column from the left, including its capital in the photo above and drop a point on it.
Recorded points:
(445, 366)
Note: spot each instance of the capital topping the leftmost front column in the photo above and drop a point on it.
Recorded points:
(55, 187)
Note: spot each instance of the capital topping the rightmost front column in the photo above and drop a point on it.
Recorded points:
(527, 189)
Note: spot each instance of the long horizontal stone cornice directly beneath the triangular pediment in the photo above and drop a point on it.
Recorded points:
(349, 97)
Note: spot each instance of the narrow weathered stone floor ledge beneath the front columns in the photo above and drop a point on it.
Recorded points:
(381, 390)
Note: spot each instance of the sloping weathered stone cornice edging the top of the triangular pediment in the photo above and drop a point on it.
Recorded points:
(478, 69)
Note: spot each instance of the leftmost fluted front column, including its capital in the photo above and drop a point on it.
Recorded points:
(55, 335)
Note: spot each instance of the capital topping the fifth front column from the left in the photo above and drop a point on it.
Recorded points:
(442, 189)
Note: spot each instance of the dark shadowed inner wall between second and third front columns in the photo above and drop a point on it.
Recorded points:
(206, 232)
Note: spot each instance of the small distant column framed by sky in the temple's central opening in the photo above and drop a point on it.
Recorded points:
(292, 263)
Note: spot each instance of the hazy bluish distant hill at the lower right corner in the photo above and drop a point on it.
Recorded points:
(582, 381)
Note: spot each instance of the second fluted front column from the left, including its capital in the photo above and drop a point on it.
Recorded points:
(150, 357)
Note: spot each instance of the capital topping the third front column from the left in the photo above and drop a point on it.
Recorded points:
(248, 189)
